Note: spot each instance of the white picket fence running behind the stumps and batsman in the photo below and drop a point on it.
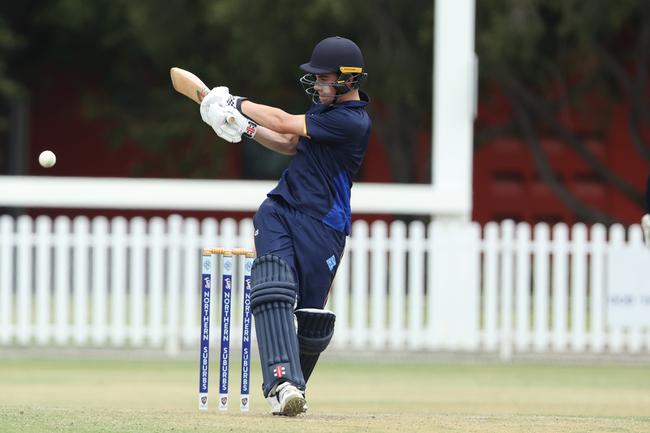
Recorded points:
(448, 286)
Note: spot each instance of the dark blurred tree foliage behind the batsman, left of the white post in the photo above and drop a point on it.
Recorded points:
(125, 49)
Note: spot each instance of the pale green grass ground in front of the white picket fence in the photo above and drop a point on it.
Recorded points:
(345, 396)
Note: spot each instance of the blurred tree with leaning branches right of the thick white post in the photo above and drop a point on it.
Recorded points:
(550, 57)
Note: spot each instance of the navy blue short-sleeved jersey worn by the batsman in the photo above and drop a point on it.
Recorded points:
(318, 180)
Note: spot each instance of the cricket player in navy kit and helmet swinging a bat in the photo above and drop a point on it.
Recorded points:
(301, 227)
